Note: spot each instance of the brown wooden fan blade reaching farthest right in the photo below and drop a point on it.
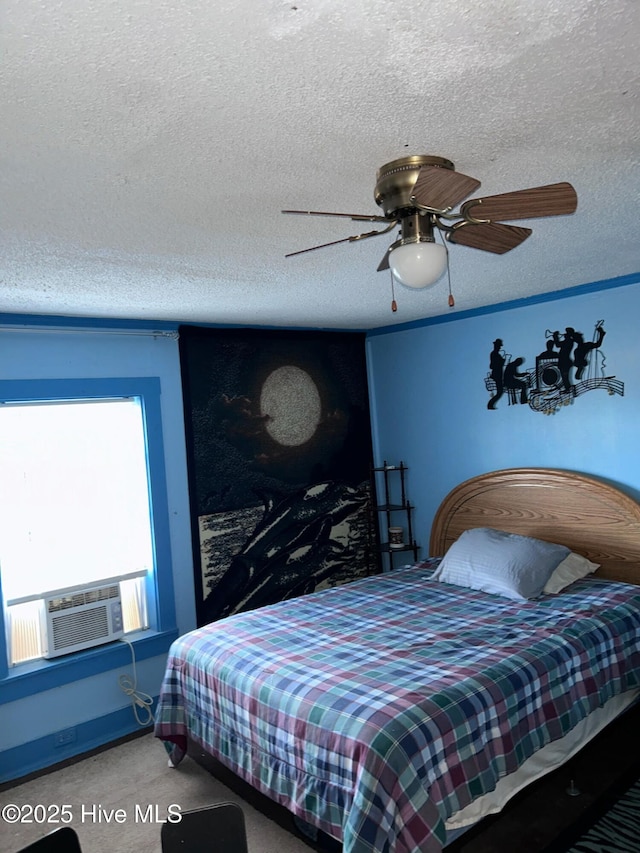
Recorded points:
(550, 200)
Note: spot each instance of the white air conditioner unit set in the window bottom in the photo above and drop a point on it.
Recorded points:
(81, 617)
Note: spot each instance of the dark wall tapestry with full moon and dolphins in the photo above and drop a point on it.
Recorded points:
(279, 444)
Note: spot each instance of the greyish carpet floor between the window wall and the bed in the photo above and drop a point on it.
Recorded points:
(132, 777)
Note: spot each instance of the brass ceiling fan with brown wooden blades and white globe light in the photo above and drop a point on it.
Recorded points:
(419, 193)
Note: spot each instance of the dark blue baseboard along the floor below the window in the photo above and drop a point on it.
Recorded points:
(44, 754)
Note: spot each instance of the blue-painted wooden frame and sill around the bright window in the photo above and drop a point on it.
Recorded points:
(32, 677)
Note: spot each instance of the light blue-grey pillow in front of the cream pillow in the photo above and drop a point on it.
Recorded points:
(501, 563)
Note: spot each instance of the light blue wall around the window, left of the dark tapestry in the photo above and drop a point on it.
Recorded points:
(95, 706)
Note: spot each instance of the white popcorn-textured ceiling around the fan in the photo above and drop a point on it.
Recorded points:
(148, 147)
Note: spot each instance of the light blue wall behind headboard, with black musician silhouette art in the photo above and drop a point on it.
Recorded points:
(429, 401)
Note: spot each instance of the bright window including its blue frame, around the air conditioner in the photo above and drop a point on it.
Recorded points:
(83, 505)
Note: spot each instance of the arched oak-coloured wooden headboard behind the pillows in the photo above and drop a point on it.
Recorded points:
(587, 515)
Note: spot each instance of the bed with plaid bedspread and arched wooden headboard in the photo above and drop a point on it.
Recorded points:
(397, 709)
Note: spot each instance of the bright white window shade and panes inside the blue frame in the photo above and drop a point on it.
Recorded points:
(74, 510)
